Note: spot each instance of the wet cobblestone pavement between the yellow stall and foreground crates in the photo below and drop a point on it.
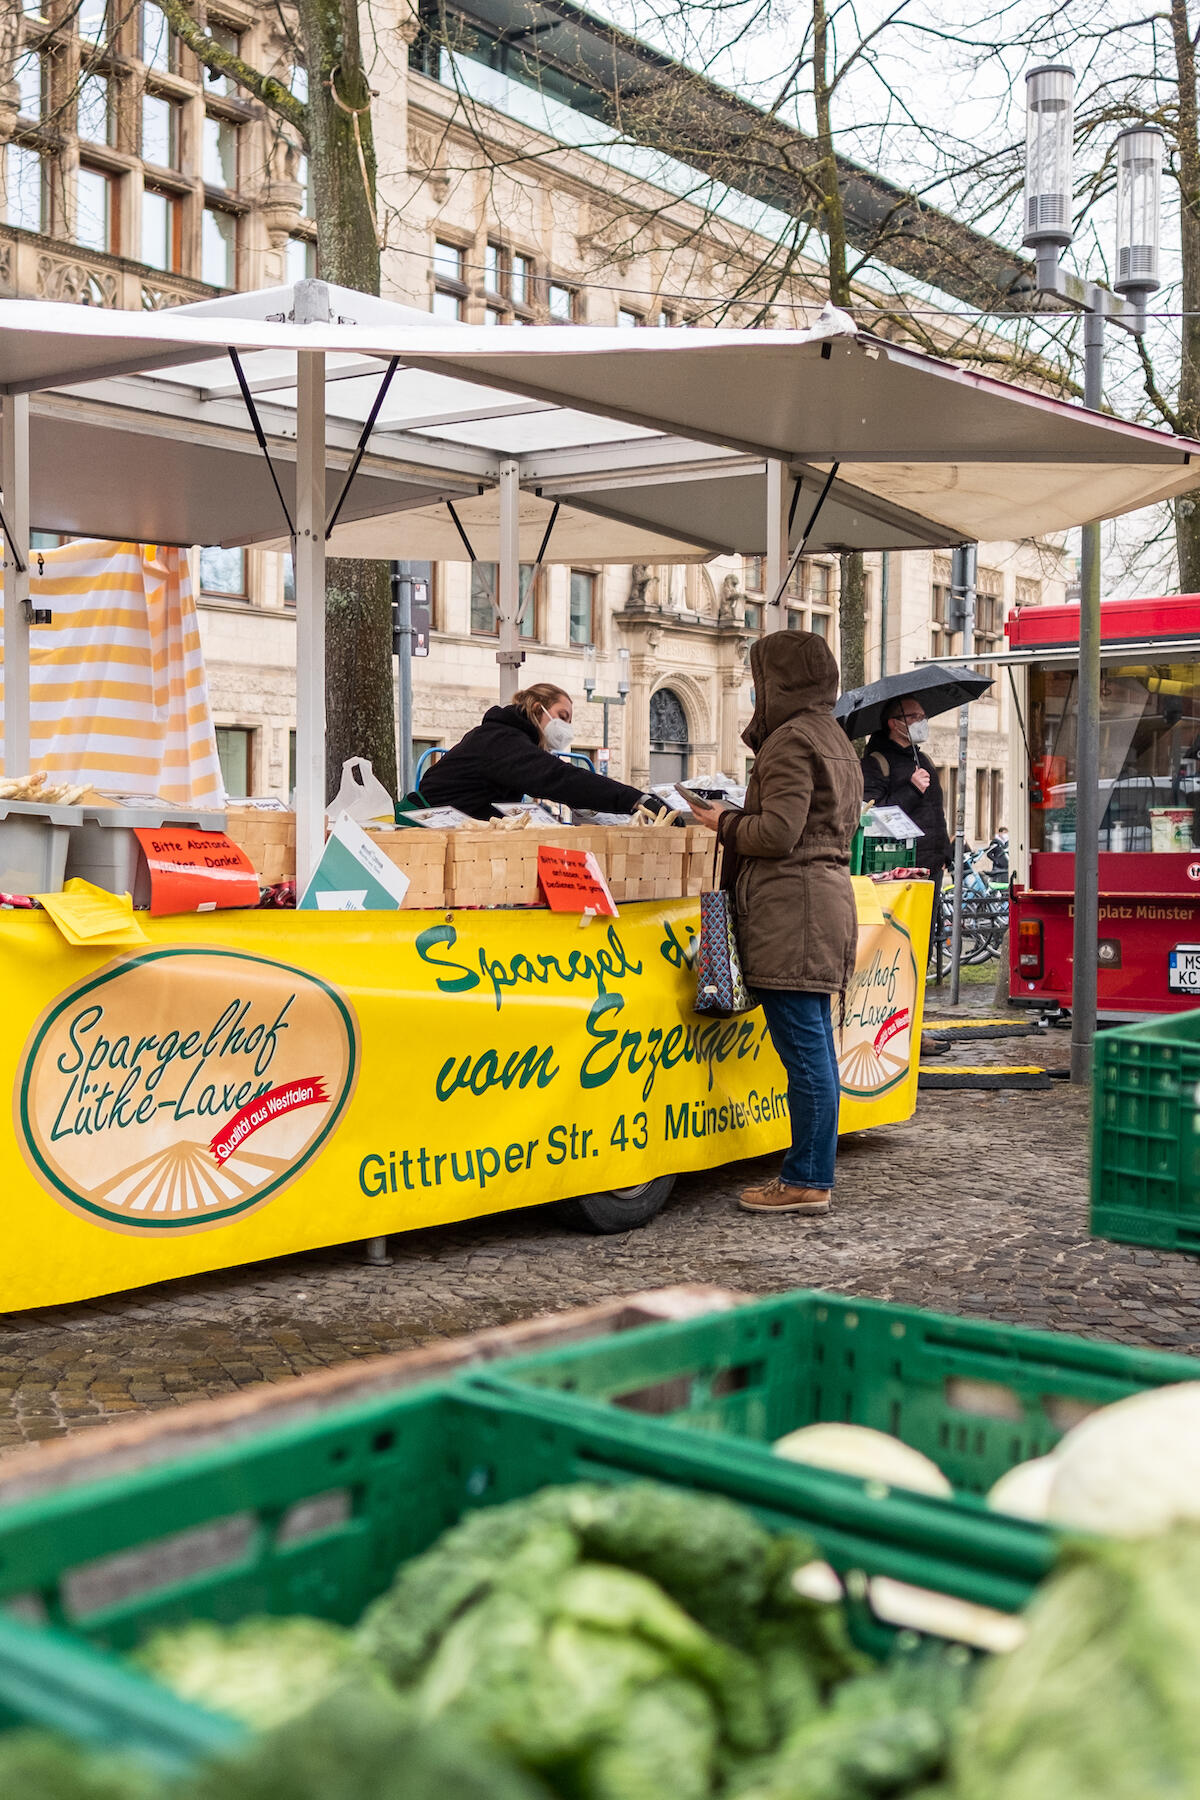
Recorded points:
(978, 1207)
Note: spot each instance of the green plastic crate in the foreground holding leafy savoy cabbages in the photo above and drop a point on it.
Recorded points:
(316, 1518)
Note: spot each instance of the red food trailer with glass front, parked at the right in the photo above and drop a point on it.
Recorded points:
(1151, 805)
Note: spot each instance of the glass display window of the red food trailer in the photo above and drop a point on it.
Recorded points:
(1149, 755)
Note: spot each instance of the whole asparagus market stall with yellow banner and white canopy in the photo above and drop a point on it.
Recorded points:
(211, 1090)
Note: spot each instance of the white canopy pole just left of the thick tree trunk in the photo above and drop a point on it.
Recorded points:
(310, 615)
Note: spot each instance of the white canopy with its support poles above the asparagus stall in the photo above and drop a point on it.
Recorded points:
(906, 449)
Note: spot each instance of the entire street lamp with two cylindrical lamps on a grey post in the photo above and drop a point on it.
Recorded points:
(1050, 143)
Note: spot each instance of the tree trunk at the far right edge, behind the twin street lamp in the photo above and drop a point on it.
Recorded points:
(1188, 174)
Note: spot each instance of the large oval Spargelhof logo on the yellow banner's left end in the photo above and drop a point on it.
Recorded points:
(183, 1088)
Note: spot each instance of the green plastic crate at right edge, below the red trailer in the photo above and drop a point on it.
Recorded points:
(1147, 1135)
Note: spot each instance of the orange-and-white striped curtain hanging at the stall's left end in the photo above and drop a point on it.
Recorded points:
(120, 694)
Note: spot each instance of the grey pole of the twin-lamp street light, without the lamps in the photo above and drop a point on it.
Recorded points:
(1088, 753)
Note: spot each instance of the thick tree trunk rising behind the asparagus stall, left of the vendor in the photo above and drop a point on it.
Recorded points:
(361, 697)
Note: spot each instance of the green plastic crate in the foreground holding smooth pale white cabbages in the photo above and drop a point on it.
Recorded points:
(974, 1396)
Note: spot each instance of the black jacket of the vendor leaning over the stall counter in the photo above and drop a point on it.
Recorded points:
(503, 760)
